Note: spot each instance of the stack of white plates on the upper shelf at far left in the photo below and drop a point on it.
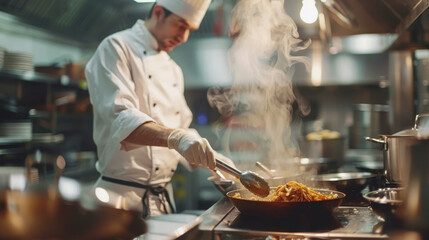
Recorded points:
(19, 61)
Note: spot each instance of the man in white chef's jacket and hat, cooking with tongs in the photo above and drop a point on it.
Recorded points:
(141, 118)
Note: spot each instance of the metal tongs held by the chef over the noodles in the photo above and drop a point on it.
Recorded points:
(250, 180)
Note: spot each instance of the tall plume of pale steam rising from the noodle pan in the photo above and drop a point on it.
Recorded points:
(261, 97)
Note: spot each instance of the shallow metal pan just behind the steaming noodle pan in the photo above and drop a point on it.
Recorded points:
(347, 182)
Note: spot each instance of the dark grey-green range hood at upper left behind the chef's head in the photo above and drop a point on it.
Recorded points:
(85, 21)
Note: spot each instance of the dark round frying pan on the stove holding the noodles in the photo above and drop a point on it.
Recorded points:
(246, 205)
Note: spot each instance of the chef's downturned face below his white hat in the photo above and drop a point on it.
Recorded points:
(171, 31)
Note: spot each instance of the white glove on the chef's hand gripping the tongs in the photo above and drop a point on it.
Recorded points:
(195, 149)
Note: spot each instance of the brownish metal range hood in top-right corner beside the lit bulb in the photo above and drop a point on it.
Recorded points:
(406, 19)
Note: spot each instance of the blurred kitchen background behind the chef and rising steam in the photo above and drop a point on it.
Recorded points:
(369, 76)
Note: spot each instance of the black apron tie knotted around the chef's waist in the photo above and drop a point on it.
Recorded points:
(158, 191)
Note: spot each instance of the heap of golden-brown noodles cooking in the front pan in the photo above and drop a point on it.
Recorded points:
(294, 192)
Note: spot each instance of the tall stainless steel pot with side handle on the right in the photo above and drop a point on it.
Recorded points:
(397, 152)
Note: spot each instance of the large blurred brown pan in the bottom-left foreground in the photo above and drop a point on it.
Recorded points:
(46, 215)
